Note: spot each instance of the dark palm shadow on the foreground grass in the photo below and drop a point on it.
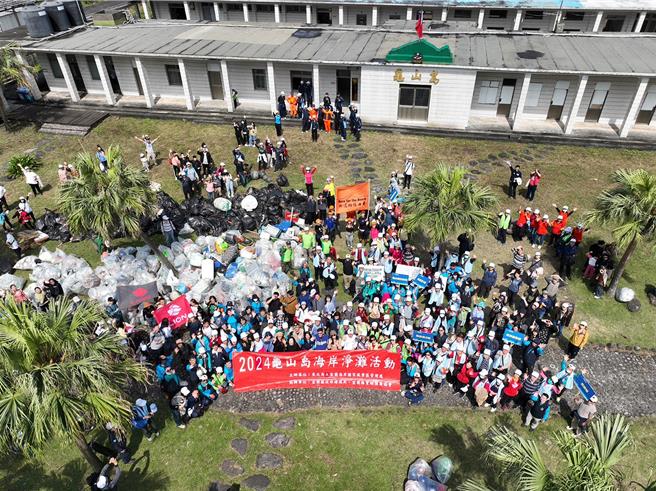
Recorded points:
(466, 449)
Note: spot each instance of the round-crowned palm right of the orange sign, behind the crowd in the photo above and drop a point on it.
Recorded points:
(445, 202)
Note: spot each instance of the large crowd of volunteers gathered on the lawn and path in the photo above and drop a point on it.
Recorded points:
(470, 353)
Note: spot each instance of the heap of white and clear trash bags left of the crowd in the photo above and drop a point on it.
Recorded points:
(225, 266)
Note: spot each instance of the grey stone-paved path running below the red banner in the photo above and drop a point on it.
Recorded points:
(623, 381)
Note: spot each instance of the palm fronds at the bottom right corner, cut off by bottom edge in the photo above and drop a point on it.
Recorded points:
(590, 460)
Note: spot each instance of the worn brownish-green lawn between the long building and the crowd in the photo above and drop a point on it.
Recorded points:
(572, 176)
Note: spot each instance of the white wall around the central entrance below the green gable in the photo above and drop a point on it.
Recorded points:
(379, 97)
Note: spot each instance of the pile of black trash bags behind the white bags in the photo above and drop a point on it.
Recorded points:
(249, 212)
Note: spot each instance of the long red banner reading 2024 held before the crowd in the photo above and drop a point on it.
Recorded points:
(374, 370)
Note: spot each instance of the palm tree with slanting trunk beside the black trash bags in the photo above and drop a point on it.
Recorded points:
(112, 202)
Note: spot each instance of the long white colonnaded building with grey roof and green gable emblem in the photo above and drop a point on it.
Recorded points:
(600, 84)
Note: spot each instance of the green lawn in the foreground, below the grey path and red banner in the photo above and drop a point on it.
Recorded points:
(357, 450)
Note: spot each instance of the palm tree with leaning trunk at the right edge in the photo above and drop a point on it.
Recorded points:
(630, 210)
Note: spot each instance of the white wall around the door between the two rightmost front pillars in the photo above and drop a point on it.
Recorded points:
(618, 100)
